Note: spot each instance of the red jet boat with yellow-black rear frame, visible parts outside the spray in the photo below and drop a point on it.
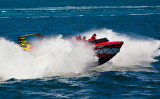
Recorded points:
(104, 49)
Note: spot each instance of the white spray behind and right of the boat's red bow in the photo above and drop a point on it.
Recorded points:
(134, 52)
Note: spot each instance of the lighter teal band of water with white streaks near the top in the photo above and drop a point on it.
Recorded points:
(72, 11)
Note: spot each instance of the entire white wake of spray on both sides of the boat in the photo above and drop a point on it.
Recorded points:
(59, 57)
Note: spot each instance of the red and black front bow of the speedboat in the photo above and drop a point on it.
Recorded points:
(105, 49)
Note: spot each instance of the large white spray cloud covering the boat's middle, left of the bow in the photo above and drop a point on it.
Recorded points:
(51, 57)
